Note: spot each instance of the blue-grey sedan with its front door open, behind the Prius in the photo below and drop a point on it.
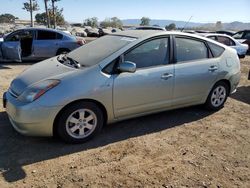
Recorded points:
(37, 43)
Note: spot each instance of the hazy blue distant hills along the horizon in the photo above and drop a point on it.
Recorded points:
(180, 24)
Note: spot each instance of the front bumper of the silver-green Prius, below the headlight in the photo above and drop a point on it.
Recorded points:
(30, 119)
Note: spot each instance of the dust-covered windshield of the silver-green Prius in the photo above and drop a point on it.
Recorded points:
(95, 51)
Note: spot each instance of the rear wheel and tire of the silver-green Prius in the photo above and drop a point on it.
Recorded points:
(217, 96)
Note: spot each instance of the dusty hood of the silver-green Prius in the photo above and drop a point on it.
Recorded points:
(47, 69)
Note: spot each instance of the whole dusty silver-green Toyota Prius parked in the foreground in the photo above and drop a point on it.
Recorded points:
(120, 76)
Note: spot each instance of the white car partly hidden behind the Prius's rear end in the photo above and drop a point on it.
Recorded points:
(229, 41)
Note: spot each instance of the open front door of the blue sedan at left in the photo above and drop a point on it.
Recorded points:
(11, 48)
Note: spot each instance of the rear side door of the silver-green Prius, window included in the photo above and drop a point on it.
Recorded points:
(195, 72)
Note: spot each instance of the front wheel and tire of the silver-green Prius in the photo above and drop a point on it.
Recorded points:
(80, 122)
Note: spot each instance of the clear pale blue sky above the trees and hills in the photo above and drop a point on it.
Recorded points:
(180, 10)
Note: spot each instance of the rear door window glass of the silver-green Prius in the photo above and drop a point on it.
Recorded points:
(188, 50)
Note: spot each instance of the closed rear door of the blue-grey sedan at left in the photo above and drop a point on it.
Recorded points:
(45, 44)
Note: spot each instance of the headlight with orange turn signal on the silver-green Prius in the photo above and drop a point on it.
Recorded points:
(37, 90)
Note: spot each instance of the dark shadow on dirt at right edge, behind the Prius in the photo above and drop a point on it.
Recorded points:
(242, 94)
